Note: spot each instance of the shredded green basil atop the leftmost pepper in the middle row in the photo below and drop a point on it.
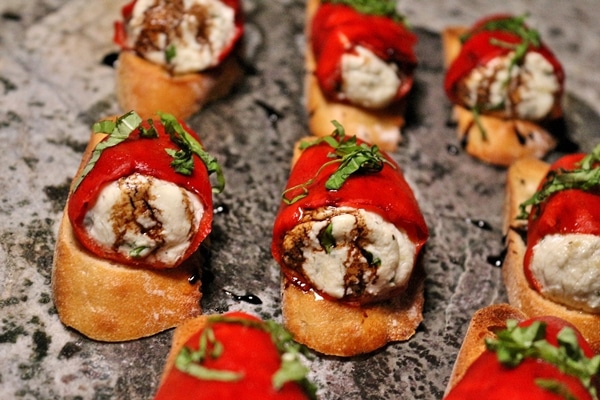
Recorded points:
(183, 162)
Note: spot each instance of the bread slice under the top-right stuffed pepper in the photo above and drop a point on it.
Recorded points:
(492, 139)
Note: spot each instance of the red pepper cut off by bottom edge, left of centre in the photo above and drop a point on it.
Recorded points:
(247, 351)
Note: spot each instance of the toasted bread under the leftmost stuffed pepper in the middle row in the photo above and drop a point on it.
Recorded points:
(110, 302)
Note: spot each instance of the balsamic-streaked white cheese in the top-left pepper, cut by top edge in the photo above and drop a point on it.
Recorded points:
(182, 35)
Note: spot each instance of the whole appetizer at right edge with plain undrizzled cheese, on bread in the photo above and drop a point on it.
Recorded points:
(552, 224)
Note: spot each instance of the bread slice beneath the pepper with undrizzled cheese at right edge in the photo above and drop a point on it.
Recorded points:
(523, 179)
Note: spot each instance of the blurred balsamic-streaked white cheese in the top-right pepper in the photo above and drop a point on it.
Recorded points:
(525, 91)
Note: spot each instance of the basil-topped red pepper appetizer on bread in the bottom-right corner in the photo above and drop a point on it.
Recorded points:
(506, 356)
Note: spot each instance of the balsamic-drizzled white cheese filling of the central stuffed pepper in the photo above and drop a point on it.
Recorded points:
(350, 253)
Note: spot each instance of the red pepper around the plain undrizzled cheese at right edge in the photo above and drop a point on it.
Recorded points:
(564, 212)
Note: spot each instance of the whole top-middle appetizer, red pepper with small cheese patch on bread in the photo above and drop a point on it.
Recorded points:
(360, 64)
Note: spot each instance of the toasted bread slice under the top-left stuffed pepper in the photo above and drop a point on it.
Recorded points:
(148, 88)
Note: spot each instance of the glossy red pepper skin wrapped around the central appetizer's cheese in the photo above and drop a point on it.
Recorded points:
(385, 193)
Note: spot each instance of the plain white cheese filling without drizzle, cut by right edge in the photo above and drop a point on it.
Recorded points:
(568, 270)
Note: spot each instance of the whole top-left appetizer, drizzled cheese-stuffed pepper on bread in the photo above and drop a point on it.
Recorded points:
(177, 55)
